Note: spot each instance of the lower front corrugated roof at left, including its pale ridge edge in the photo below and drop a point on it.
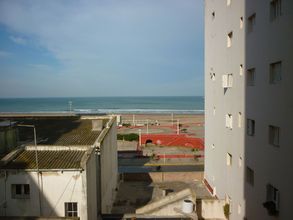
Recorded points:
(52, 159)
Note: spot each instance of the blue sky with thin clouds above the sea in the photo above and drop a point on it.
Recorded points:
(79, 48)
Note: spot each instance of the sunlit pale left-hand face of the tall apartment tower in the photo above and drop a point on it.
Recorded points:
(228, 181)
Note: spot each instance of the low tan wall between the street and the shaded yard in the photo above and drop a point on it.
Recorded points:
(163, 176)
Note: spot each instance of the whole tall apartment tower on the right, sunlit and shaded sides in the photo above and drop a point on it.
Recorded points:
(248, 107)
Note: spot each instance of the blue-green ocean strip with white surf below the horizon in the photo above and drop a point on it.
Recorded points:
(115, 105)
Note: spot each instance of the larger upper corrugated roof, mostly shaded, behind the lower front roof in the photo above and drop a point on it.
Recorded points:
(60, 131)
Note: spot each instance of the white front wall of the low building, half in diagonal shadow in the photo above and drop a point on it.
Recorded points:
(55, 188)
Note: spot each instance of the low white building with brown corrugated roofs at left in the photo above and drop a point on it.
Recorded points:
(78, 177)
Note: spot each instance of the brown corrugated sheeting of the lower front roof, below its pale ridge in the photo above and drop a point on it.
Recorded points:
(47, 159)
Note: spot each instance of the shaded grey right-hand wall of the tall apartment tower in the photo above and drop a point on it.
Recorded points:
(270, 104)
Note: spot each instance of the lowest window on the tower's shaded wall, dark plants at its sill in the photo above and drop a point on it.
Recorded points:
(272, 201)
